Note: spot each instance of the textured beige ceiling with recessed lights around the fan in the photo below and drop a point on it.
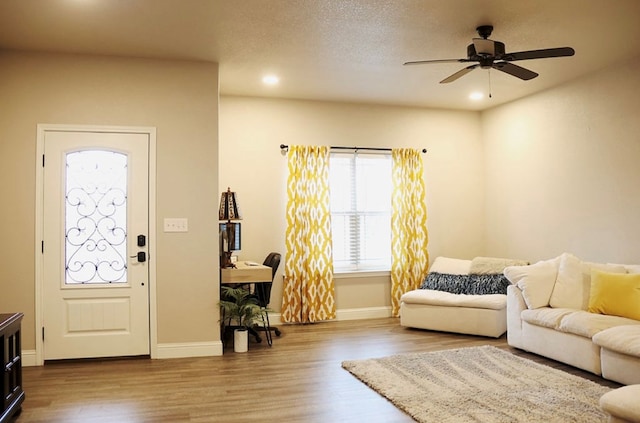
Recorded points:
(342, 50)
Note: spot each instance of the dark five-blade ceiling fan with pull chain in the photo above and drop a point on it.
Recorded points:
(491, 54)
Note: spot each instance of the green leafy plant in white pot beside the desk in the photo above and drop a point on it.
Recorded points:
(239, 306)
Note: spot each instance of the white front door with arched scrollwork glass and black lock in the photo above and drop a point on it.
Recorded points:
(95, 277)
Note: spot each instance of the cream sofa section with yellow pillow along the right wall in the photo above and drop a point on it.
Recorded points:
(580, 313)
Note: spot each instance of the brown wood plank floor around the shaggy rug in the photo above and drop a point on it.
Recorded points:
(299, 379)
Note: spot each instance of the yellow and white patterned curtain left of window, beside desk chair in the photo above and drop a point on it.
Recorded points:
(309, 293)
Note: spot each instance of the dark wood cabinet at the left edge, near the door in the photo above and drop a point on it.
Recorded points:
(12, 393)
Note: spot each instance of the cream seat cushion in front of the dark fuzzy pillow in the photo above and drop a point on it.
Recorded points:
(440, 298)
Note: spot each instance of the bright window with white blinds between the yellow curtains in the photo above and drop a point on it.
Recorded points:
(361, 187)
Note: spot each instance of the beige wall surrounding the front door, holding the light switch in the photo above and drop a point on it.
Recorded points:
(180, 99)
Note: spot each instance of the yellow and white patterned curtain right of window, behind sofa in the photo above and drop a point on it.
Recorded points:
(410, 259)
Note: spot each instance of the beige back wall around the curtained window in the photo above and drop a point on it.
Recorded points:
(251, 163)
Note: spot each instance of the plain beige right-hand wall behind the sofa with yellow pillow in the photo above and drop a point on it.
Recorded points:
(563, 173)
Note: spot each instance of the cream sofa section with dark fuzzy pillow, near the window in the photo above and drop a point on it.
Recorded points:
(475, 304)
